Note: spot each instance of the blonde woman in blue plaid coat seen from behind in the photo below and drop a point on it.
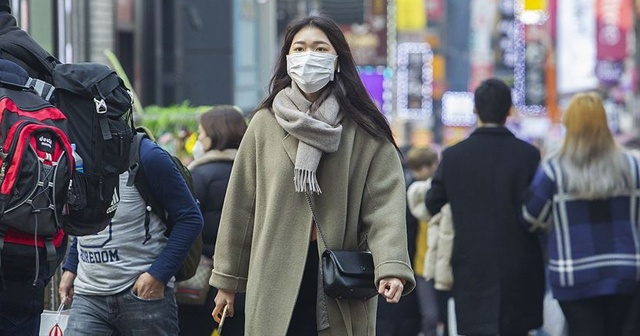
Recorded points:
(585, 198)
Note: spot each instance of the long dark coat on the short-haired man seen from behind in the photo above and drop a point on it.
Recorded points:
(498, 269)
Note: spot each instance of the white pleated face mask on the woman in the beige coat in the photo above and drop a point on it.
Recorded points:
(311, 70)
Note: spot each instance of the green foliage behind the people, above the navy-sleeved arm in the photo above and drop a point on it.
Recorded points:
(171, 119)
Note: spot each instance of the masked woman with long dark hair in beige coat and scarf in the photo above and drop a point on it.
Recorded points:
(316, 135)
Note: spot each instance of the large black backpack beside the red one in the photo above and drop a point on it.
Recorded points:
(98, 106)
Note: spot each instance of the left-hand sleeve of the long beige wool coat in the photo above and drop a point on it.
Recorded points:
(233, 245)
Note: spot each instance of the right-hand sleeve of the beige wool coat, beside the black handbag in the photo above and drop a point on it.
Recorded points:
(383, 214)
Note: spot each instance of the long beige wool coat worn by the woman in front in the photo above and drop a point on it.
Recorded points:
(266, 226)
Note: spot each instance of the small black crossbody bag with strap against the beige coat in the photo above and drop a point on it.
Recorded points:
(345, 274)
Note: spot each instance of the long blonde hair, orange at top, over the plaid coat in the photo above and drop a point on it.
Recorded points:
(593, 162)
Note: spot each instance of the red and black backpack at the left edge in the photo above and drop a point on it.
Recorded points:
(36, 167)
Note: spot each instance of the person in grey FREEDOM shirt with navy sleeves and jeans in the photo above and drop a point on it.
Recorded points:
(130, 292)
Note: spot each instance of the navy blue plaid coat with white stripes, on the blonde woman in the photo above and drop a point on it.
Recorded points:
(593, 246)
